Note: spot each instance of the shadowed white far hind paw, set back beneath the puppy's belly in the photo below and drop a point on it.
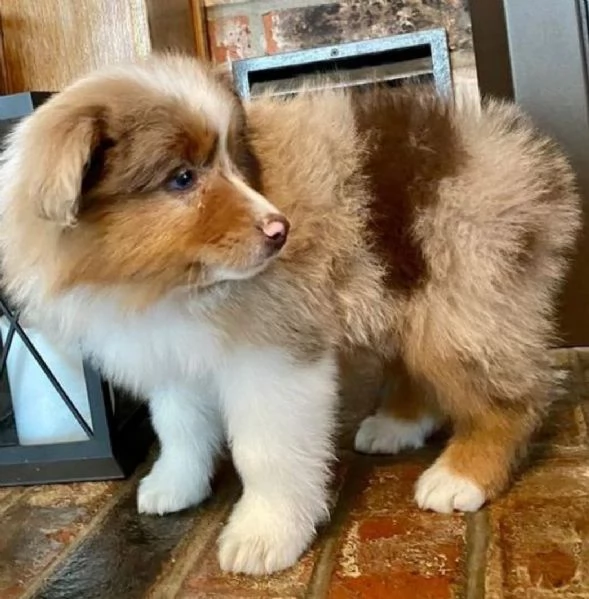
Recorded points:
(385, 434)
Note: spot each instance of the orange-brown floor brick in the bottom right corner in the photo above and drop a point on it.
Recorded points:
(539, 543)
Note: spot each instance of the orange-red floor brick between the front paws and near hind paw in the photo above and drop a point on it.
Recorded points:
(391, 549)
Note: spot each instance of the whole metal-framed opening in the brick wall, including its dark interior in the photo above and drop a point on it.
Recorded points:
(417, 56)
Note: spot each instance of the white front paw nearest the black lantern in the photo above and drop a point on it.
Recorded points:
(163, 491)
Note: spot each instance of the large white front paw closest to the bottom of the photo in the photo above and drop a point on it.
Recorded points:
(261, 539)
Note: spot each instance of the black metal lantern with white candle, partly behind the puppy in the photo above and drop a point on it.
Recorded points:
(60, 420)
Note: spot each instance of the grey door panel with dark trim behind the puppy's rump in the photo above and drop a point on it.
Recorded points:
(535, 52)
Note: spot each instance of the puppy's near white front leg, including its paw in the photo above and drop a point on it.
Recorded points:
(280, 419)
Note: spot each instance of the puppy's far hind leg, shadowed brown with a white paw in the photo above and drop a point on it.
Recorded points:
(405, 418)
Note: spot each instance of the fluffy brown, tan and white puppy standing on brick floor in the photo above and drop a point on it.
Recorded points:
(216, 257)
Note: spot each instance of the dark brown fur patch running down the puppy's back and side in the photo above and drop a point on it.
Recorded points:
(409, 151)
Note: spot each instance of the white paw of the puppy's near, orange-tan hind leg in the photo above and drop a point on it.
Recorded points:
(440, 490)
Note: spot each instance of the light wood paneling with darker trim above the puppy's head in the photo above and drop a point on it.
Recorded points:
(47, 43)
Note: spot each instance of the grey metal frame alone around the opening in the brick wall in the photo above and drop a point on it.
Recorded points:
(433, 41)
